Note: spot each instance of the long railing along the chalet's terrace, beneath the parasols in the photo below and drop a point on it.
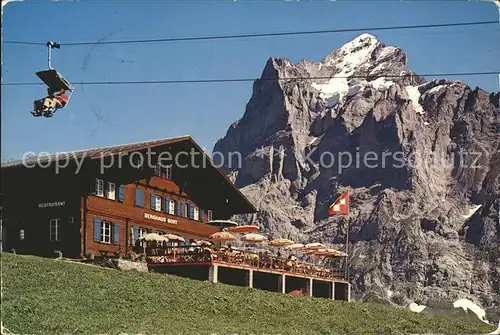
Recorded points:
(240, 258)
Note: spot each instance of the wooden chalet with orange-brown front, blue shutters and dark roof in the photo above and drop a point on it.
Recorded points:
(103, 200)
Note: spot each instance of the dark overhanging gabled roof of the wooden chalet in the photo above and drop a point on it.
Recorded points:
(192, 170)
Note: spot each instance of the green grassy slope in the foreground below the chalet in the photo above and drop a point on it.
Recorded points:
(52, 297)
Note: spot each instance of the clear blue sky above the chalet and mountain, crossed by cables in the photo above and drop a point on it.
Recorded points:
(109, 114)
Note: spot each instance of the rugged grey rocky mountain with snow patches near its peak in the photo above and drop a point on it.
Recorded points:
(417, 157)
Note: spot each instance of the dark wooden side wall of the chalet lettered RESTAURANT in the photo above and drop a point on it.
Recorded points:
(22, 194)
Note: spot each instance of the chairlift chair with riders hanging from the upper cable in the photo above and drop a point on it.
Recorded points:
(54, 81)
